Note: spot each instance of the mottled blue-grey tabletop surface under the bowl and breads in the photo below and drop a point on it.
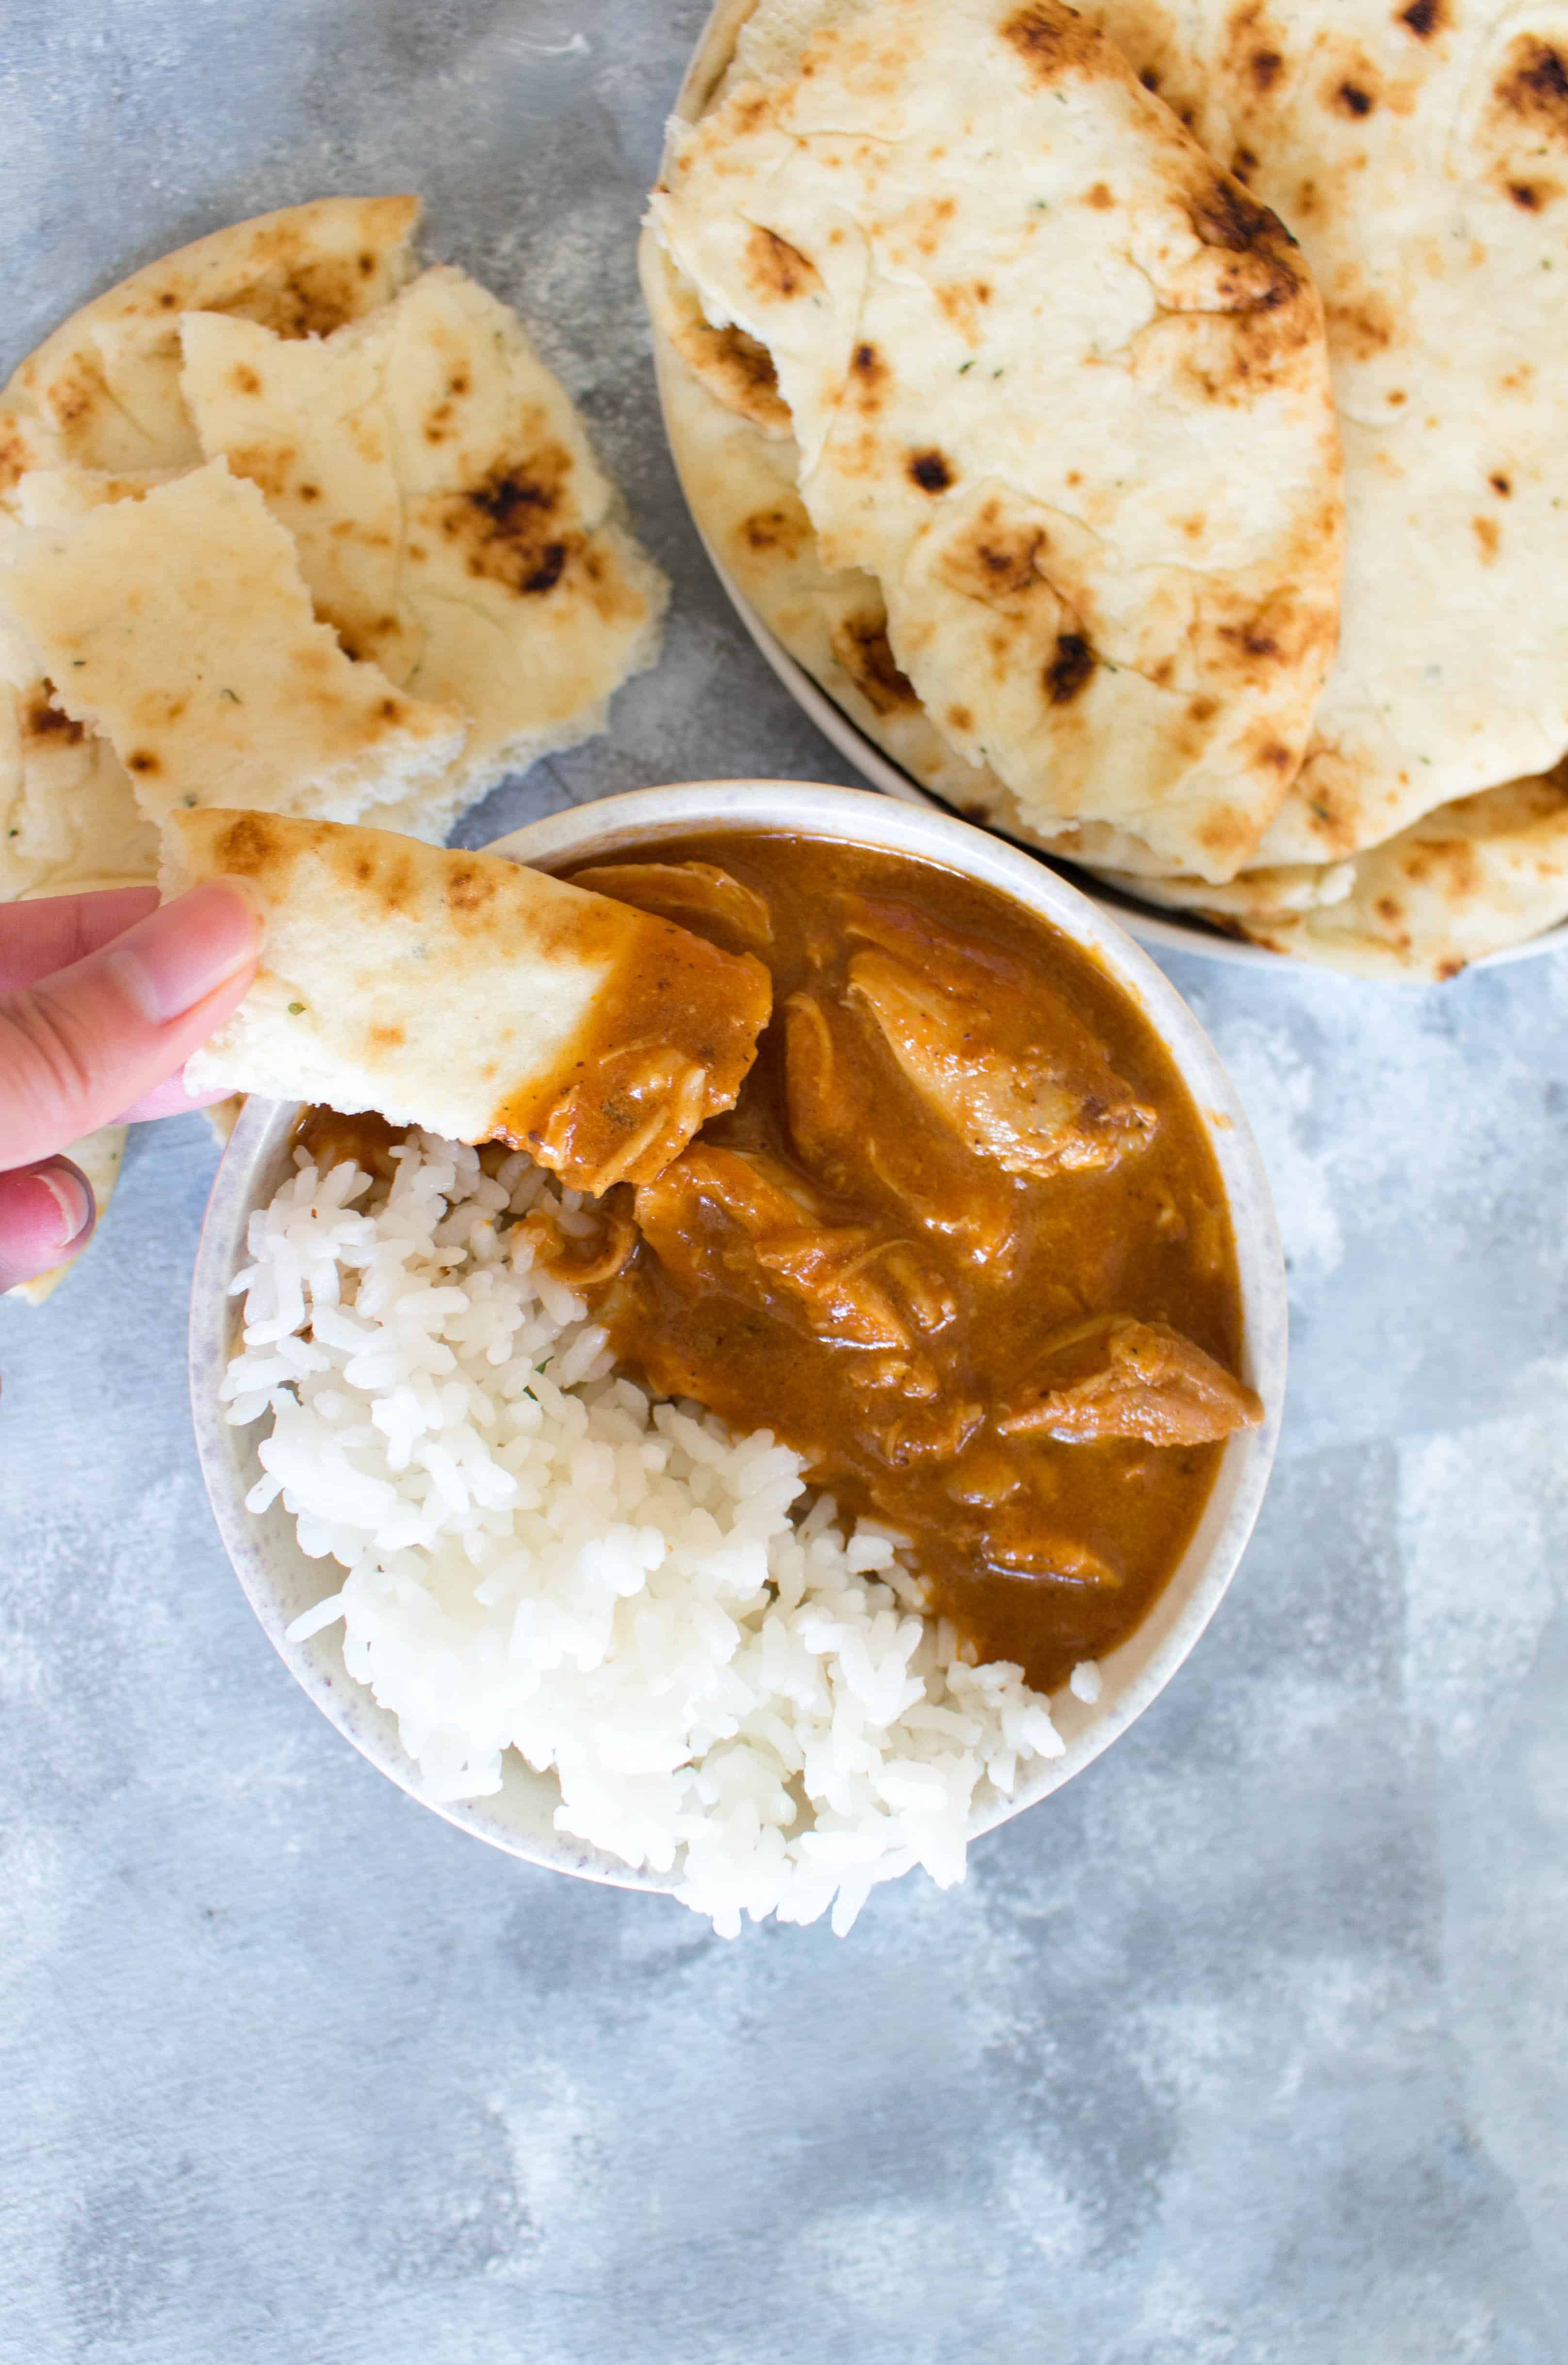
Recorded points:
(1248, 2047)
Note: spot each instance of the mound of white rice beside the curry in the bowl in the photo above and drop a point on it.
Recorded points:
(543, 1557)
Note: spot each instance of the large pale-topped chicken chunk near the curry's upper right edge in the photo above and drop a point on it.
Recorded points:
(1042, 1108)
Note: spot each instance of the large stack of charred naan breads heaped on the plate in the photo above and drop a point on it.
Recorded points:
(1151, 427)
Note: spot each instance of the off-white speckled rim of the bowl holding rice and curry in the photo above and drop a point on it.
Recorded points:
(280, 1581)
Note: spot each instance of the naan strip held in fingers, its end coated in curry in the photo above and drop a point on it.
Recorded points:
(472, 997)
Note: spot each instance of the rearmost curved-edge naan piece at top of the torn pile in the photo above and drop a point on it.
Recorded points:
(103, 391)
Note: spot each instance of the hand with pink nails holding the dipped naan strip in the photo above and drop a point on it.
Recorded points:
(103, 1002)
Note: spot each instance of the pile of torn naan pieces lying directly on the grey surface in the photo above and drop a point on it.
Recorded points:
(292, 529)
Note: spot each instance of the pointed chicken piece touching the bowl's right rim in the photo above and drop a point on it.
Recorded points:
(1117, 1378)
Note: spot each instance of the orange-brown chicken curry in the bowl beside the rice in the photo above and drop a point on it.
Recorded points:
(961, 1243)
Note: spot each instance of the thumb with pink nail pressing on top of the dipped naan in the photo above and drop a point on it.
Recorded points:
(98, 1037)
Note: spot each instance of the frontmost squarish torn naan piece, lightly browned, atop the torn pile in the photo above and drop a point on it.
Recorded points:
(181, 628)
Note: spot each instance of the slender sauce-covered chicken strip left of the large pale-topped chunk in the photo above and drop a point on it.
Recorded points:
(845, 1132)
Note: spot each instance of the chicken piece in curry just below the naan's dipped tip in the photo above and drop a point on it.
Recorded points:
(739, 1222)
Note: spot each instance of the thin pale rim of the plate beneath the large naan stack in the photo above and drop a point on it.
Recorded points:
(1146, 921)
